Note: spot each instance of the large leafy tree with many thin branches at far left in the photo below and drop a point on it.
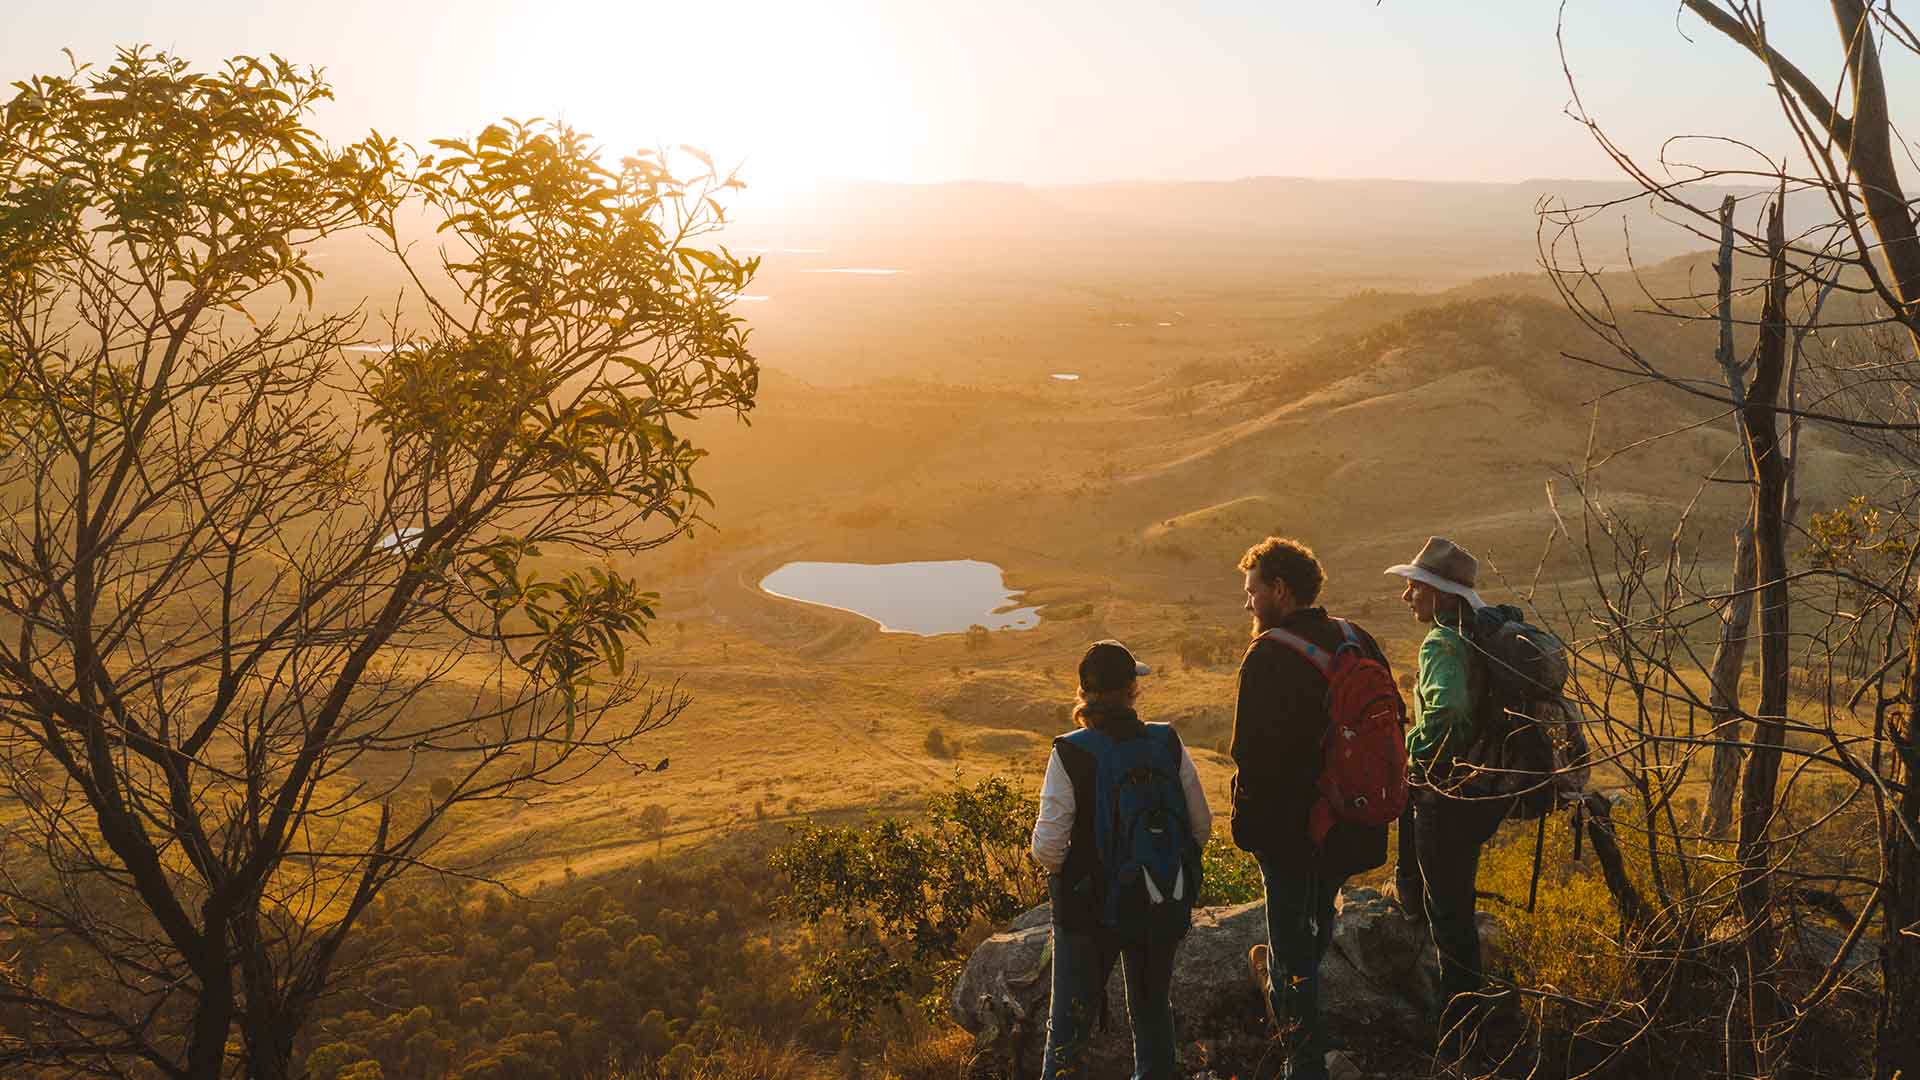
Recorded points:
(277, 601)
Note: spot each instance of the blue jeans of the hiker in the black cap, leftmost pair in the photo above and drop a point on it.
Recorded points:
(1084, 960)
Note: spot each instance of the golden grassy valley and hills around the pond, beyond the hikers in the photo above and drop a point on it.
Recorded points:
(915, 416)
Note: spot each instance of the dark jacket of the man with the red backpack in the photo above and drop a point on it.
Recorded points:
(1278, 727)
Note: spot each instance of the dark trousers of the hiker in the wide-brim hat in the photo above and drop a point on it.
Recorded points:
(1437, 866)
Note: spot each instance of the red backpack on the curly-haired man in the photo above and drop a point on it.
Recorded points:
(1364, 754)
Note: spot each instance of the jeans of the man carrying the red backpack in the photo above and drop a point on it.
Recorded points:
(1299, 931)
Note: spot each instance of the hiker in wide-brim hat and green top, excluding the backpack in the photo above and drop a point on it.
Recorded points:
(1441, 837)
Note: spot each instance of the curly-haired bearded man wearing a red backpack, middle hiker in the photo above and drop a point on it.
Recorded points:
(1320, 772)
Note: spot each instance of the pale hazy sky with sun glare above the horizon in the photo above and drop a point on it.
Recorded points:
(1049, 91)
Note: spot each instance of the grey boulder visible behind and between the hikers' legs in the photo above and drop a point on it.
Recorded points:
(1378, 985)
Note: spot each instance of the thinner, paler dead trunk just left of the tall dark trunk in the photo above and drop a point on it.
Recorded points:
(1737, 618)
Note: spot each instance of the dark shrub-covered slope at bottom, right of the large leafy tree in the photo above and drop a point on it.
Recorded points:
(573, 981)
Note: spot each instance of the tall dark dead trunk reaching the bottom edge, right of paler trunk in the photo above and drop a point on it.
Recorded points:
(1769, 729)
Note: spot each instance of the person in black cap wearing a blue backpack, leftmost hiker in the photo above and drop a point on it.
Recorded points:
(1120, 833)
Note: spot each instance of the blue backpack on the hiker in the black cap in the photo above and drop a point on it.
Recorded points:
(1147, 881)
